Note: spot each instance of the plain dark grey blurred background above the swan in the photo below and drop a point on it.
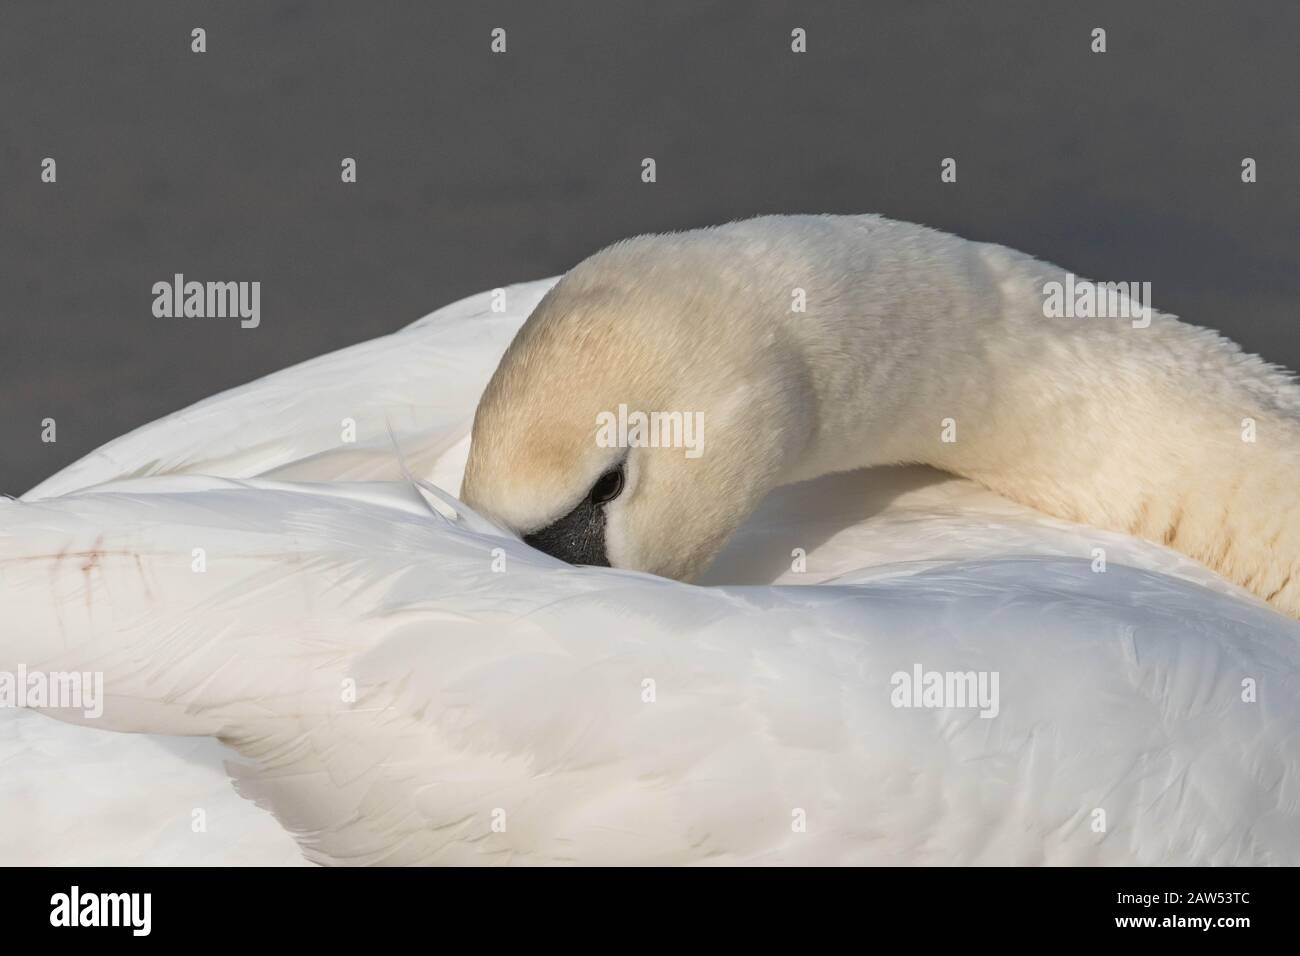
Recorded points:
(476, 171)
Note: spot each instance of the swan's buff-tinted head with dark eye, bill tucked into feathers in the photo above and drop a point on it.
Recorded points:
(642, 413)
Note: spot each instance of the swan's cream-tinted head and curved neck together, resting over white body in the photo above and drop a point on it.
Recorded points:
(913, 347)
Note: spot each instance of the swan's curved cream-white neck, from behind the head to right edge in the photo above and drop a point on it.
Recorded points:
(931, 349)
